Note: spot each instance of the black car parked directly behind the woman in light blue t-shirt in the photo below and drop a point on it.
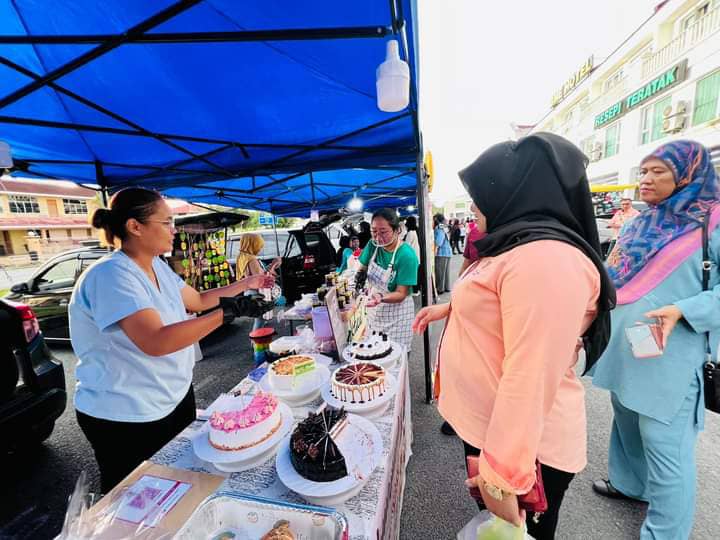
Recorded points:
(48, 290)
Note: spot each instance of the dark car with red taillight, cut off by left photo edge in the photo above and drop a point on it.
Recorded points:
(32, 381)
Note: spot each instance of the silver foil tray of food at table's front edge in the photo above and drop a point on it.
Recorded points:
(227, 515)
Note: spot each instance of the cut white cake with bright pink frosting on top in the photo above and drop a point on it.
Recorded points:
(243, 428)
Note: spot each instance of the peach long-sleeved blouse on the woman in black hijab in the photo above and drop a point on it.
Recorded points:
(507, 358)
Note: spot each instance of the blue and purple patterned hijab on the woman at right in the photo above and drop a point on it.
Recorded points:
(643, 237)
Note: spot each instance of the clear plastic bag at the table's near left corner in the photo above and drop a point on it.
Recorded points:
(83, 523)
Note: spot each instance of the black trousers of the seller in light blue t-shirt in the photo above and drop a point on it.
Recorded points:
(121, 446)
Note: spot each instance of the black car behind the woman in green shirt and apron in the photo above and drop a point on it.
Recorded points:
(307, 256)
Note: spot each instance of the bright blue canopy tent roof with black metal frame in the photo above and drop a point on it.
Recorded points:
(265, 104)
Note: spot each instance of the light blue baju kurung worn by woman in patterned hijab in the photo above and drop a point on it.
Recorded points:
(658, 402)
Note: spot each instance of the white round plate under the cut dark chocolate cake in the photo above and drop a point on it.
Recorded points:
(337, 491)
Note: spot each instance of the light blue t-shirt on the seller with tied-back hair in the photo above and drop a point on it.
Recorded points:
(115, 379)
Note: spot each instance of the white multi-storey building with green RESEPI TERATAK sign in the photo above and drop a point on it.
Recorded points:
(663, 84)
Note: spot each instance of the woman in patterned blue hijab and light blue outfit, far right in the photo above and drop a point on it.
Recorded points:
(658, 402)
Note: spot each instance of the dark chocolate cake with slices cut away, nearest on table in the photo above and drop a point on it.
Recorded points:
(313, 452)
